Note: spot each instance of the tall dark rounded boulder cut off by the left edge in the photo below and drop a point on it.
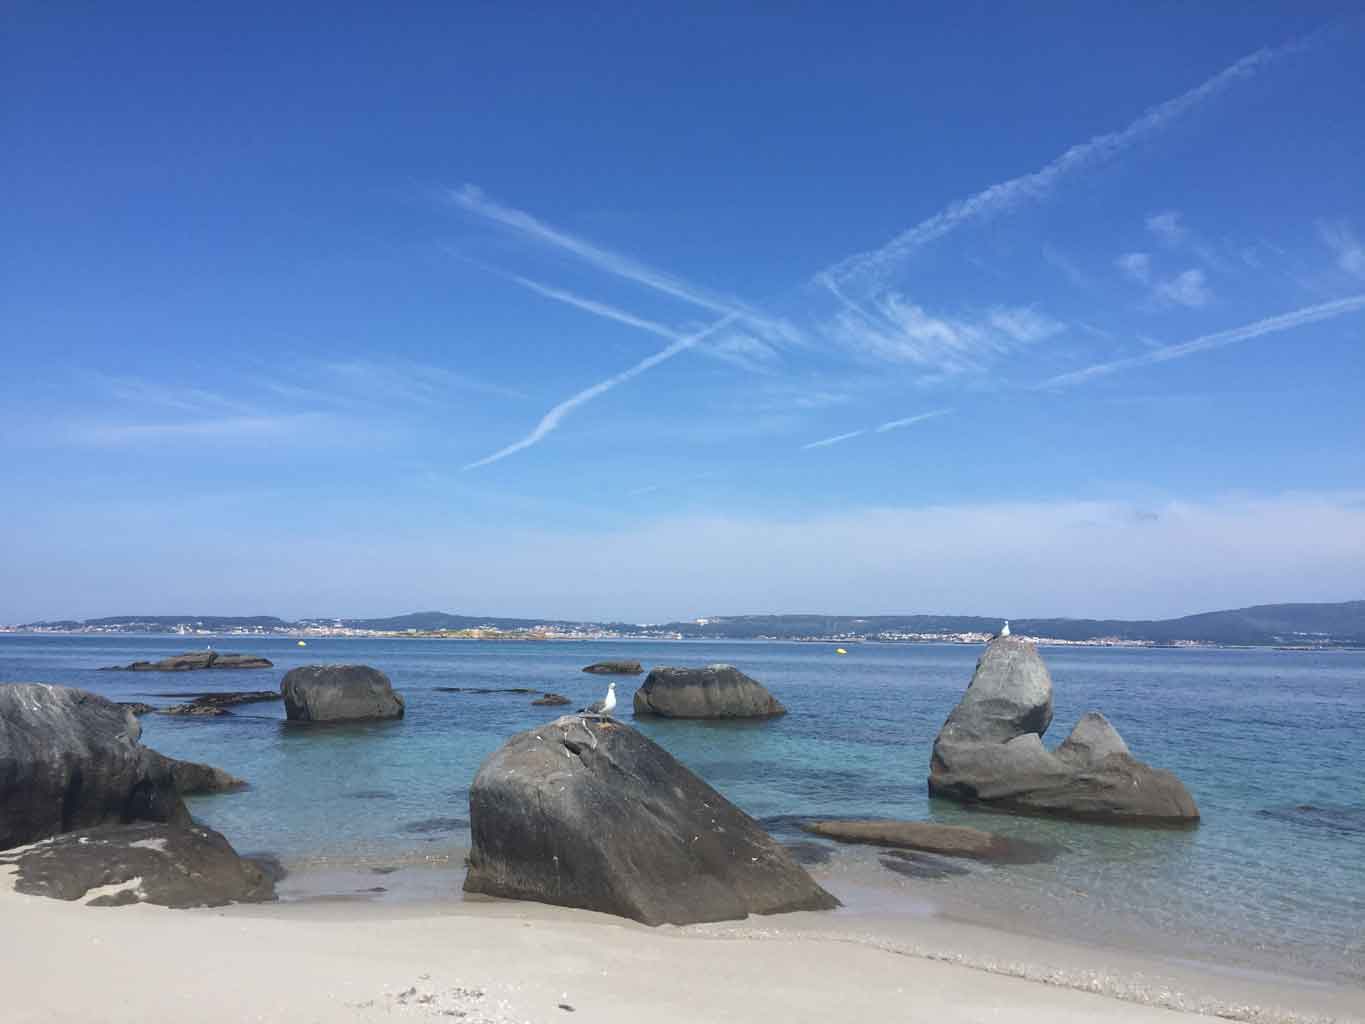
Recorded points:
(72, 760)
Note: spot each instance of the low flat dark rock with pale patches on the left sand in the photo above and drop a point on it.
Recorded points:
(164, 865)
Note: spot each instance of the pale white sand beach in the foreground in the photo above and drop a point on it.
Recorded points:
(503, 962)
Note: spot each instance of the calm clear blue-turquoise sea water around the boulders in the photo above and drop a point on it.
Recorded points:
(1269, 742)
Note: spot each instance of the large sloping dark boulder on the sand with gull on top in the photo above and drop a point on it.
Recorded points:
(590, 813)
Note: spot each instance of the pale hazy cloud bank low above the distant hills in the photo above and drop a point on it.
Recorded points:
(1198, 555)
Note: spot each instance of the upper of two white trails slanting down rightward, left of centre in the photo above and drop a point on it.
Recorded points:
(474, 201)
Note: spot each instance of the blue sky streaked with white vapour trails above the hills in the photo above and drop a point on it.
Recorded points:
(618, 313)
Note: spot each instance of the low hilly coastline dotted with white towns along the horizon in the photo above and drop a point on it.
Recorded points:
(1265, 625)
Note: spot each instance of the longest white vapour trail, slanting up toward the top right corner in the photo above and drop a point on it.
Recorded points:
(1007, 196)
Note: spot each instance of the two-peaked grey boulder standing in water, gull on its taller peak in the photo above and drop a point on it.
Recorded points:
(990, 752)
